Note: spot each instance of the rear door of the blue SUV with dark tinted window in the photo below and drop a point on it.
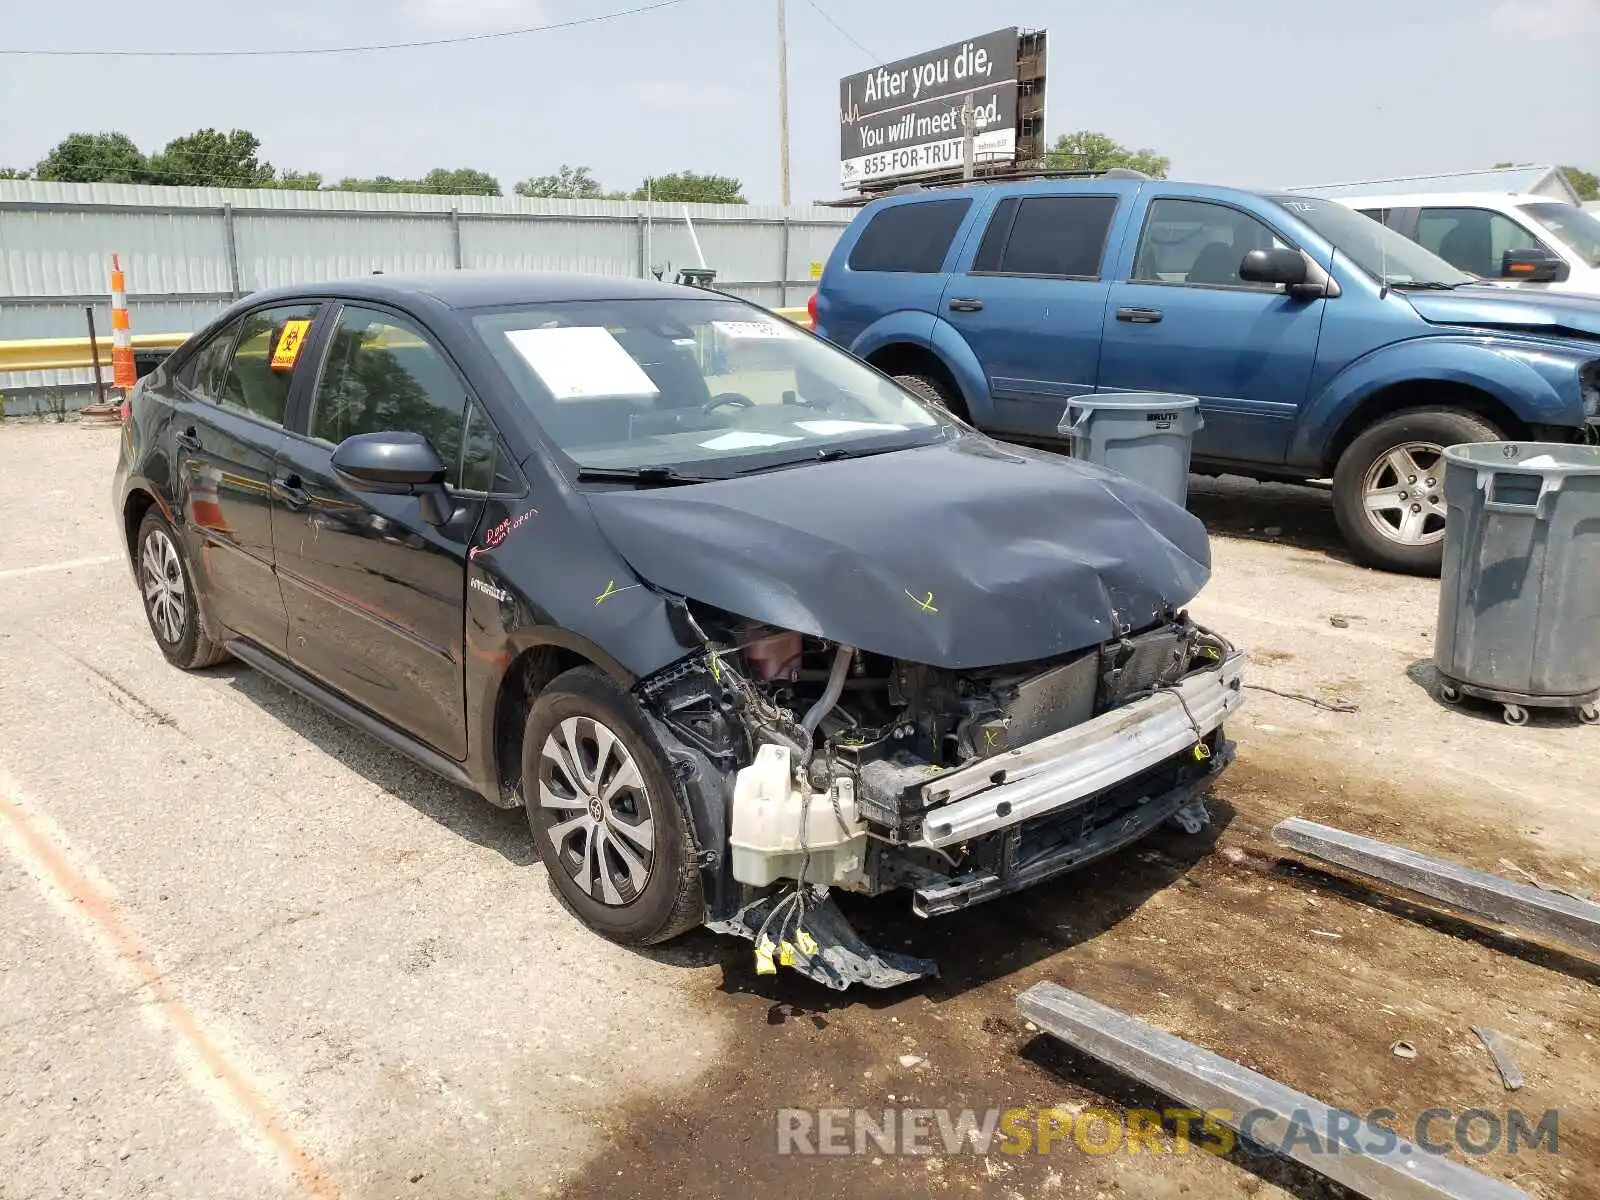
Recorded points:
(1033, 302)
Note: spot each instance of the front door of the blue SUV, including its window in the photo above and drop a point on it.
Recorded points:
(1182, 321)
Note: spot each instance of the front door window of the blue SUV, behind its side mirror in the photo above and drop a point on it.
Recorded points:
(1201, 242)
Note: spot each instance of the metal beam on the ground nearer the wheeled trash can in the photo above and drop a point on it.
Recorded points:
(1548, 914)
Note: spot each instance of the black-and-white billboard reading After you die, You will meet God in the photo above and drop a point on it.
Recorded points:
(906, 118)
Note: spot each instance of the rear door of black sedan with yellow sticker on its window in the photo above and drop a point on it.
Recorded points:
(230, 406)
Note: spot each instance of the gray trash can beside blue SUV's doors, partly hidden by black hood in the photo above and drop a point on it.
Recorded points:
(1145, 436)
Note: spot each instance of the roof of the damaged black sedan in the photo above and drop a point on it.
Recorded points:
(490, 289)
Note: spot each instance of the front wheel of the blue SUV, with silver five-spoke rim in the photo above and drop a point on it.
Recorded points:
(1399, 465)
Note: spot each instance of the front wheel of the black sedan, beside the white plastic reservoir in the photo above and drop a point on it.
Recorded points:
(639, 897)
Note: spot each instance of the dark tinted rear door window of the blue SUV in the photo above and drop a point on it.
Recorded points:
(1060, 236)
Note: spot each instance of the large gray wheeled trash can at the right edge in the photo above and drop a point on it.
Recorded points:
(1519, 601)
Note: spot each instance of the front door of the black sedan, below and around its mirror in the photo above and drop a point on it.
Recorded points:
(375, 593)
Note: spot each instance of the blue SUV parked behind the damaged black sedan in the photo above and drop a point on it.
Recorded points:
(1319, 342)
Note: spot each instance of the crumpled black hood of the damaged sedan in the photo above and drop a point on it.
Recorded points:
(962, 554)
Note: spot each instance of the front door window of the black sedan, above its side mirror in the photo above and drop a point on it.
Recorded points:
(383, 374)
